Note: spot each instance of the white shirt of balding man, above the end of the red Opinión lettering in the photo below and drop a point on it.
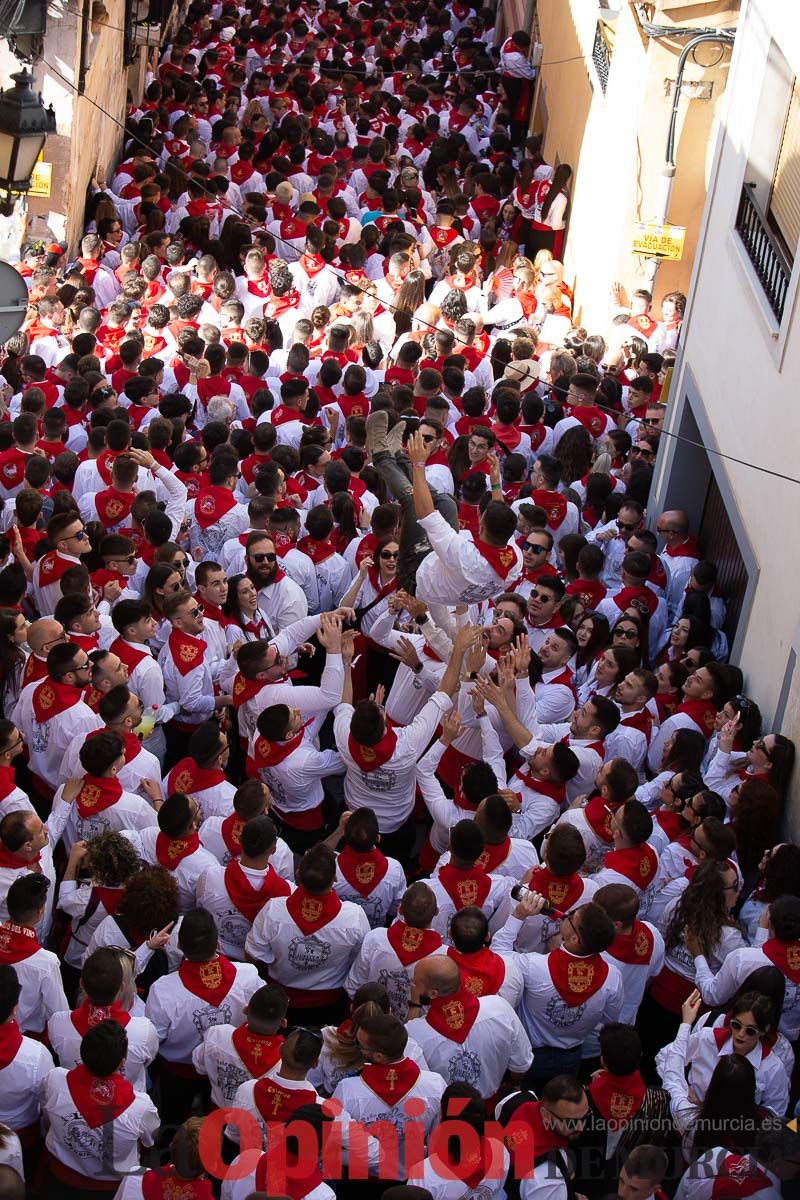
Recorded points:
(496, 1043)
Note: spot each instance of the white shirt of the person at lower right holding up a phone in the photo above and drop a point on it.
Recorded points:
(549, 1021)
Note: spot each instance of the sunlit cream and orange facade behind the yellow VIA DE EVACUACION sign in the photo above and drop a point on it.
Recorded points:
(604, 101)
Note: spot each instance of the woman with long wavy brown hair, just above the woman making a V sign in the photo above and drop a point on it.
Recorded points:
(699, 921)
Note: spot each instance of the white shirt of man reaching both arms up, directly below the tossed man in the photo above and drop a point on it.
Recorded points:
(390, 789)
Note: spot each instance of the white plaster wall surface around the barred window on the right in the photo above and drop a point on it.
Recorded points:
(747, 371)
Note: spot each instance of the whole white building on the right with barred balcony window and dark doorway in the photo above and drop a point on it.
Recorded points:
(735, 389)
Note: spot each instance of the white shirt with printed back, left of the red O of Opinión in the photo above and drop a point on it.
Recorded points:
(85, 1150)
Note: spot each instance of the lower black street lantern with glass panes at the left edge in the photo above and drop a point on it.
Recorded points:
(25, 125)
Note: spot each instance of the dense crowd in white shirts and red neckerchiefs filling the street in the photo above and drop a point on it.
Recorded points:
(370, 753)
